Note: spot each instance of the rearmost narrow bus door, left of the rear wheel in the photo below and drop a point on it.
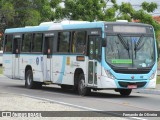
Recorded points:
(16, 56)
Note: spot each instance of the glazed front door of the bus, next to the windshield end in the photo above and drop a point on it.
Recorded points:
(93, 55)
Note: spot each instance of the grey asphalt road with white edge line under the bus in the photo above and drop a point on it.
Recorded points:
(106, 100)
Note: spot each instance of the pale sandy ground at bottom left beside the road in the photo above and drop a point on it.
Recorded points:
(10, 102)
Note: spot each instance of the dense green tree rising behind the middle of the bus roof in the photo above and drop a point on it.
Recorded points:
(89, 10)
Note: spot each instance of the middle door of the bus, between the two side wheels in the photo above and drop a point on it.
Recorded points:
(48, 50)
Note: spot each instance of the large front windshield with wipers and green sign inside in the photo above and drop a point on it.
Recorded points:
(130, 51)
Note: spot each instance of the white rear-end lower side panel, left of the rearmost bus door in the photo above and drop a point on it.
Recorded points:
(7, 64)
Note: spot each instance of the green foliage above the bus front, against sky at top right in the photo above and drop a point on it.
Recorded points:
(127, 12)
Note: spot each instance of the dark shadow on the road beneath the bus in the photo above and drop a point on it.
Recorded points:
(56, 89)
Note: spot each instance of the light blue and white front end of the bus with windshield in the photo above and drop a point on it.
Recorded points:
(129, 58)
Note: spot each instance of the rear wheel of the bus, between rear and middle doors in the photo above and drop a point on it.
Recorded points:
(29, 83)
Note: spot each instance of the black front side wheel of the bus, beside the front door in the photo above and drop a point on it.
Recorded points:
(82, 89)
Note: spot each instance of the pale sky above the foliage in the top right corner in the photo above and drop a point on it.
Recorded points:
(136, 4)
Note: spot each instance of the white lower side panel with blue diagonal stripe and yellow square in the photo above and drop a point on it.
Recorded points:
(64, 68)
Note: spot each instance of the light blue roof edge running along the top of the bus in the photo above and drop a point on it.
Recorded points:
(64, 26)
